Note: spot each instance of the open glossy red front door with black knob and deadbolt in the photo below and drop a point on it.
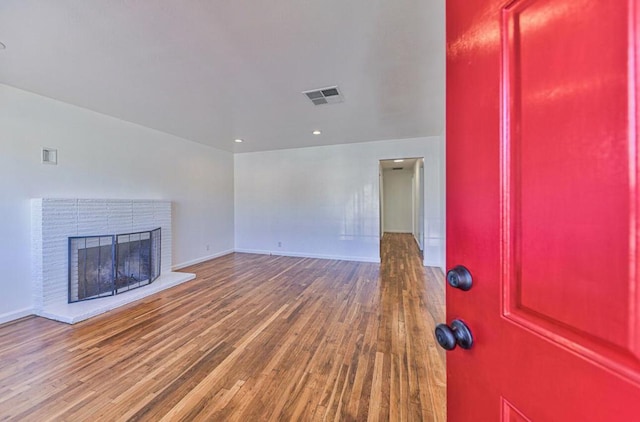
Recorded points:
(542, 209)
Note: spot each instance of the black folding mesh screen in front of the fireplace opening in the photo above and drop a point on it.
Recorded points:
(102, 266)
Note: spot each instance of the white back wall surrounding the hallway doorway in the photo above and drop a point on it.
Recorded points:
(324, 201)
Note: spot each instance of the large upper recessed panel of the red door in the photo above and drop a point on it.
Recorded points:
(568, 175)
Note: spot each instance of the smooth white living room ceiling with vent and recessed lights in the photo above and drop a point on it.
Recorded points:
(213, 71)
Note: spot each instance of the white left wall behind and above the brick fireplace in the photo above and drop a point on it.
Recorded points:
(102, 157)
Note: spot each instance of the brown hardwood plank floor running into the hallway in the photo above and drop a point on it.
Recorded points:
(253, 338)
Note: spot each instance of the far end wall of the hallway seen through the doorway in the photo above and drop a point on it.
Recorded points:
(398, 200)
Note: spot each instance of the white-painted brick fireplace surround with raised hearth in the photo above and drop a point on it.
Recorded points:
(54, 221)
